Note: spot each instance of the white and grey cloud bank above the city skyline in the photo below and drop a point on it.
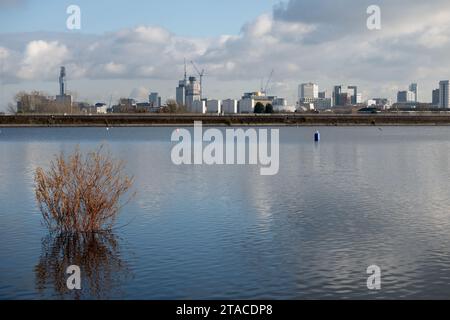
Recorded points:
(310, 40)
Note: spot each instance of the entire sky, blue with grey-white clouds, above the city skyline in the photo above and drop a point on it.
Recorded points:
(130, 48)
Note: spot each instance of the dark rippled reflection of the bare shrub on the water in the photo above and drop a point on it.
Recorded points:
(97, 255)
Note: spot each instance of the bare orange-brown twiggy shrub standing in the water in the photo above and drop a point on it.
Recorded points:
(81, 193)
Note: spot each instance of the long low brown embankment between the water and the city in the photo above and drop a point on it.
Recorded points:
(248, 120)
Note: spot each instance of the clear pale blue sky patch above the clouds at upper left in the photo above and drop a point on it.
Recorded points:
(187, 18)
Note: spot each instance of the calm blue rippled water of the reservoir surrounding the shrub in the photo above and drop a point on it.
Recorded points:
(362, 196)
